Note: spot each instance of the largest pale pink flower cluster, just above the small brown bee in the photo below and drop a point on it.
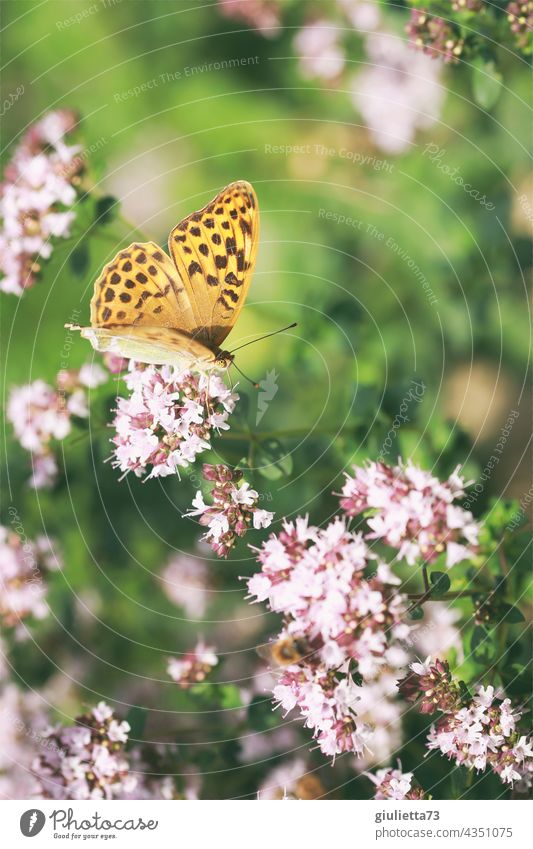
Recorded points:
(318, 578)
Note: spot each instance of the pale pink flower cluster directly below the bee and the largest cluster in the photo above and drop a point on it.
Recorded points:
(326, 699)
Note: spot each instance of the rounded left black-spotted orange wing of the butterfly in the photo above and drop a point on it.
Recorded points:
(141, 287)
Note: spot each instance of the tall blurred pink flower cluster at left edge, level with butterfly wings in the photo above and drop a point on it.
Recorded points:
(35, 197)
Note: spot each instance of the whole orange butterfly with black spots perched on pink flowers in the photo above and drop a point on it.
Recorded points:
(155, 309)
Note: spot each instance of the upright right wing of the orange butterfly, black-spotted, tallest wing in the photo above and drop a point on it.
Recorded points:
(214, 251)
